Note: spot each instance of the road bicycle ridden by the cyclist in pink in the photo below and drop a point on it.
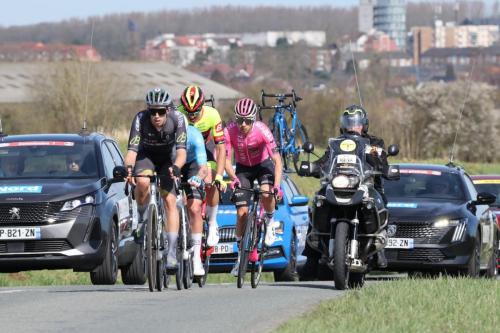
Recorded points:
(253, 238)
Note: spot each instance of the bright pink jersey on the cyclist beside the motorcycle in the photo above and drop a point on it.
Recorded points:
(253, 148)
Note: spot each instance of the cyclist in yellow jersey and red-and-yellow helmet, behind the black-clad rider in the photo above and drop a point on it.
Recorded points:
(207, 120)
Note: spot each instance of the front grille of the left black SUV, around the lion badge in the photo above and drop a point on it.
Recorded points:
(40, 213)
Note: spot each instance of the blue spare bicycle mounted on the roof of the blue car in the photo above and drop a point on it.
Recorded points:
(289, 133)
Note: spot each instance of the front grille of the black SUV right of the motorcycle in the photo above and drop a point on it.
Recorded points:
(421, 232)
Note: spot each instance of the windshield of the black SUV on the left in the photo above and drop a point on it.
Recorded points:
(47, 159)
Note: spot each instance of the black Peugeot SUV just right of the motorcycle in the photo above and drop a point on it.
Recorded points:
(439, 223)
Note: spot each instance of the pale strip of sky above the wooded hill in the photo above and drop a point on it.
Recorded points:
(36, 11)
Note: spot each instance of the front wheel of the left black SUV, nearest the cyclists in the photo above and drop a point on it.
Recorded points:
(107, 271)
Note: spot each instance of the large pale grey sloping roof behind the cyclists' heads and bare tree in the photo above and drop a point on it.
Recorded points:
(17, 79)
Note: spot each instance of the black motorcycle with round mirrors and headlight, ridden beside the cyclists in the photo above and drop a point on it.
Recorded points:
(349, 215)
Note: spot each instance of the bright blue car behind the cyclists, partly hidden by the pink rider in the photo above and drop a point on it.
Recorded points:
(283, 257)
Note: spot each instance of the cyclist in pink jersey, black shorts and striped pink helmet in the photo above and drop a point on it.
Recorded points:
(256, 158)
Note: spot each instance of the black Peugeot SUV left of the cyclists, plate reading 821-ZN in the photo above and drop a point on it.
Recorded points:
(60, 207)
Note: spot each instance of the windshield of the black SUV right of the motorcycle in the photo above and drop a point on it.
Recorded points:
(425, 184)
